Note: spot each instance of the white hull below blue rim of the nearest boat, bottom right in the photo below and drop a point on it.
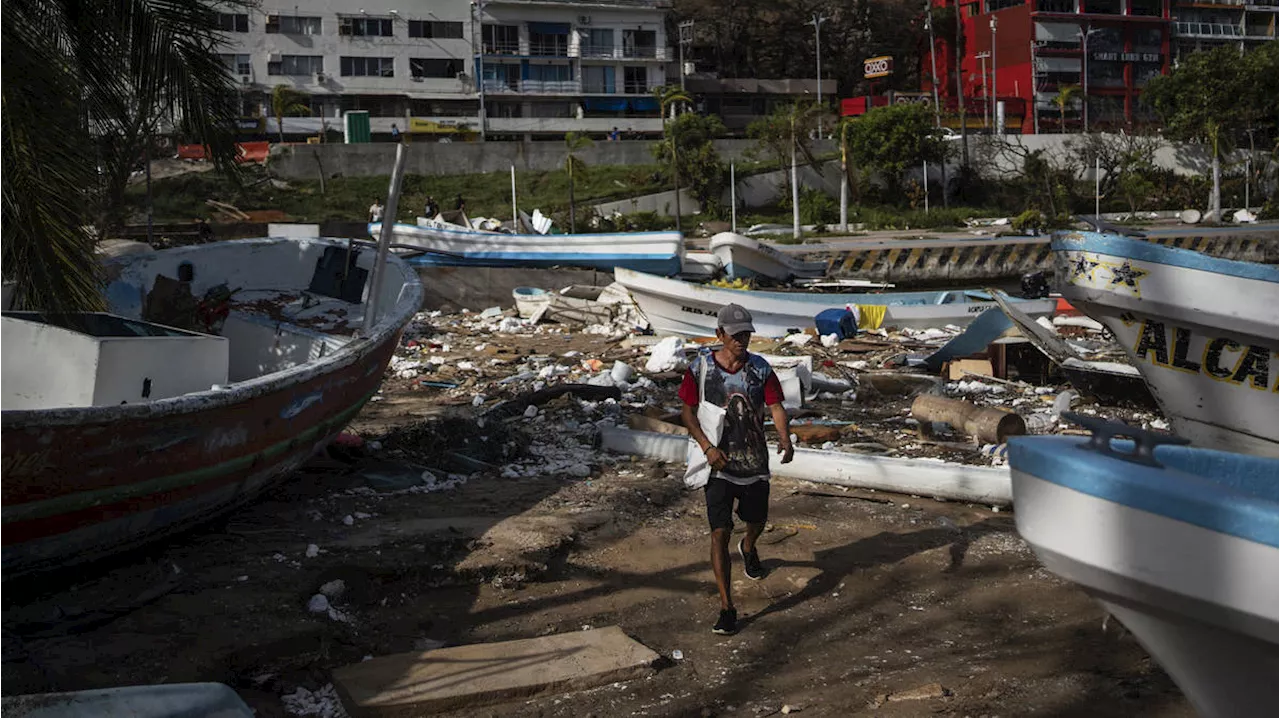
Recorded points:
(1203, 603)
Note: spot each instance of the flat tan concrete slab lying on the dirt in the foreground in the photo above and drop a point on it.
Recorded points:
(420, 684)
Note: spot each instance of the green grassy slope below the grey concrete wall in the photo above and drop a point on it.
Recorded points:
(182, 199)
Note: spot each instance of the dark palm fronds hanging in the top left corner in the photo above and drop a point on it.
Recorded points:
(84, 85)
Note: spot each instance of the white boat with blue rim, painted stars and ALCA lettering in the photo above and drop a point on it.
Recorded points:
(1203, 331)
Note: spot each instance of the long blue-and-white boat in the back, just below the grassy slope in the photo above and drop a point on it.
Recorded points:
(451, 245)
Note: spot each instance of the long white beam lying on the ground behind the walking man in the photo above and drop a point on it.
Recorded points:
(938, 479)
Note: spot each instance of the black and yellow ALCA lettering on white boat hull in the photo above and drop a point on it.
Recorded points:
(1219, 359)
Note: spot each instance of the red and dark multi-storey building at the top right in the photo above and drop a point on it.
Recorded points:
(1112, 48)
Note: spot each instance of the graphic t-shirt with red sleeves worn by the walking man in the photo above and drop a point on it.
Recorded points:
(744, 396)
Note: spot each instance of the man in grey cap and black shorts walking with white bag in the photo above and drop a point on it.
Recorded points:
(743, 385)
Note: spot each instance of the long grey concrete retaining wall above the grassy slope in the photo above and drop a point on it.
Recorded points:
(304, 162)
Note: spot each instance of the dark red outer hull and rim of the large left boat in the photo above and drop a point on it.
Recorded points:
(80, 483)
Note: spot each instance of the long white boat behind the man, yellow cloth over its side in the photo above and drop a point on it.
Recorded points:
(682, 308)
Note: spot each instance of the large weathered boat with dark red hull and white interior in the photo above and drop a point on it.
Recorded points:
(218, 371)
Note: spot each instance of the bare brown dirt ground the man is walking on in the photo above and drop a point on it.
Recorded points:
(875, 605)
